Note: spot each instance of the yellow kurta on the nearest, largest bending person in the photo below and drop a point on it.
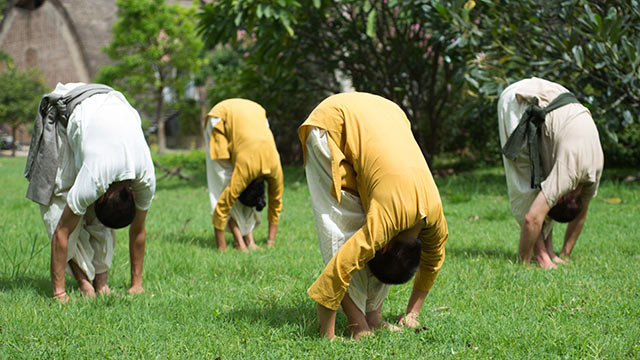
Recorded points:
(374, 155)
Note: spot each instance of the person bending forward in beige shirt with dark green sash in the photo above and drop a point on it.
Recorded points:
(565, 147)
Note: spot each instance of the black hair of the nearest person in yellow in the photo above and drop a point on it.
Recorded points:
(398, 264)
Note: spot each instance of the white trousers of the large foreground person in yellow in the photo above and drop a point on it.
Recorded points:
(336, 223)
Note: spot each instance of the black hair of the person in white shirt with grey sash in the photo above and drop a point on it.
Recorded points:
(117, 209)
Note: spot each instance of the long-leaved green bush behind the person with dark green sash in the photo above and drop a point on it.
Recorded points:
(590, 47)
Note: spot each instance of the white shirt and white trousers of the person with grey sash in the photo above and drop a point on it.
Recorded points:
(103, 143)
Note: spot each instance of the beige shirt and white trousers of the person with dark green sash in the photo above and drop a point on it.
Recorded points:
(570, 149)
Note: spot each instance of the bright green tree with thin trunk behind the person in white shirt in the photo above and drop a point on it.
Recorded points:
(156, 50)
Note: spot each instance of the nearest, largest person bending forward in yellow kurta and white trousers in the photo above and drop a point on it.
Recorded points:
(373, 195)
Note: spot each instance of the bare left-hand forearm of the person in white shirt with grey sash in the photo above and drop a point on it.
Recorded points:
(59, 243)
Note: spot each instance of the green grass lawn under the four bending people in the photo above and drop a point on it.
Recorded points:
(200, 303)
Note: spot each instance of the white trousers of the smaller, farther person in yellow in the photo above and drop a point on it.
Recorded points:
(218, 177)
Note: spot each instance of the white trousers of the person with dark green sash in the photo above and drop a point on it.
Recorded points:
(518, 173)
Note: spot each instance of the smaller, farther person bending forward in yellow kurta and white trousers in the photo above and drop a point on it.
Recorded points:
(241, 155)
